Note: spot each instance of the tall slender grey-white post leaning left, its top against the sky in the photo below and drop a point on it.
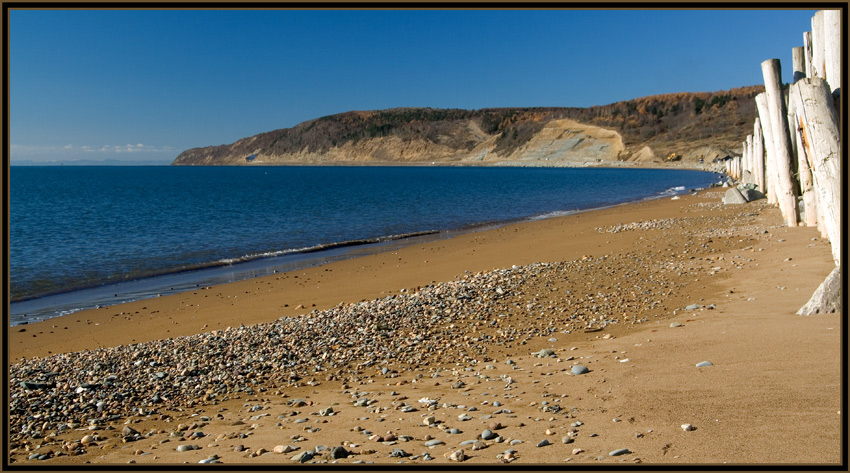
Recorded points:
(785, 192)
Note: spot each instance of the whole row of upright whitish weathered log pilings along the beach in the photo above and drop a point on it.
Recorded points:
(794, 153)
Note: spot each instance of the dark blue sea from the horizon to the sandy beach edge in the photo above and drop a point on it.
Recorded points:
(91, 236)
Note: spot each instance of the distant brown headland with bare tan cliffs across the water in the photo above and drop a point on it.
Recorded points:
(641, 132)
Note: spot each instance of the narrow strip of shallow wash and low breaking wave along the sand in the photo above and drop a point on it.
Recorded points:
(45, 307)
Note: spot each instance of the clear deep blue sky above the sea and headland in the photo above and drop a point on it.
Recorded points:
(148, 84)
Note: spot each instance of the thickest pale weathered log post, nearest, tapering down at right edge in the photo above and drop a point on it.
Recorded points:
(821, 140)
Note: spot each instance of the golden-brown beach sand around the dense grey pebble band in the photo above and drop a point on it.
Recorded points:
(772, 394)
